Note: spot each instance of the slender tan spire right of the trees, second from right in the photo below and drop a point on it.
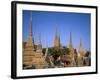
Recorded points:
(71, 51)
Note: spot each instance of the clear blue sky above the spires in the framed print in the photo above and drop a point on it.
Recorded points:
(46, 23)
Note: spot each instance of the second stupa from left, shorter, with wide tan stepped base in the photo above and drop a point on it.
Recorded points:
(39, 59)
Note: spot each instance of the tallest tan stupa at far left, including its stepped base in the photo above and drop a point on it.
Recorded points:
(28, 51)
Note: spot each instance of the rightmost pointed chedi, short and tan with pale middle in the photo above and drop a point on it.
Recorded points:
(80, 54)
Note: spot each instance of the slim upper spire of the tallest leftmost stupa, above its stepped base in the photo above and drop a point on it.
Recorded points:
(30, 42)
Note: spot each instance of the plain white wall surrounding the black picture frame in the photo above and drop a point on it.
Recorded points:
(5, 40)
